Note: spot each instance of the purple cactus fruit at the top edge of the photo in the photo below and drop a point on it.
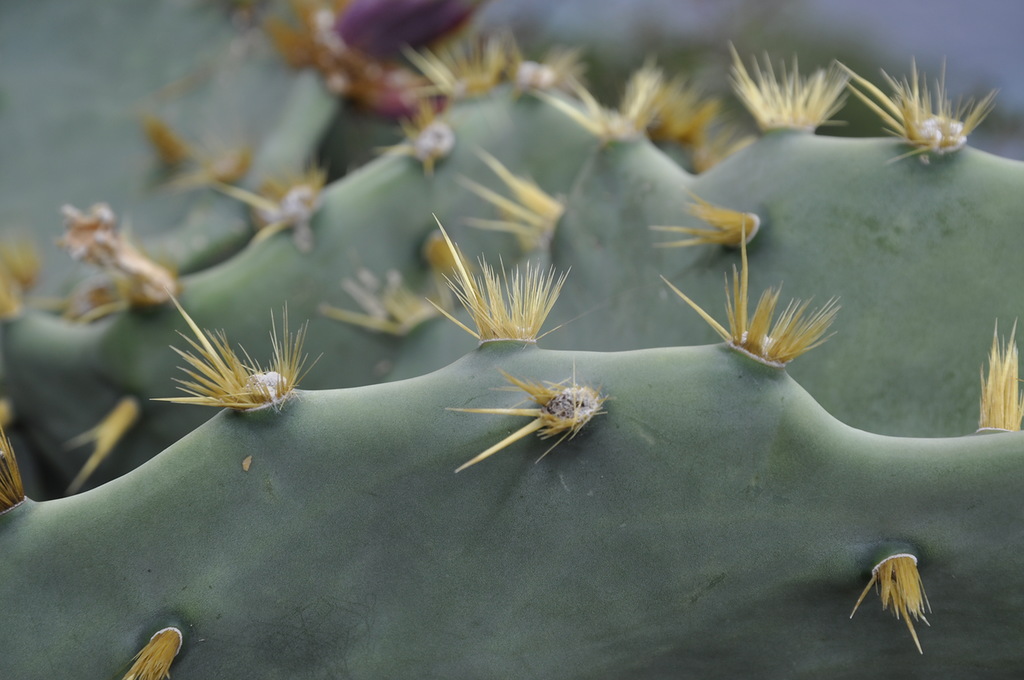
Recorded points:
(381, 28)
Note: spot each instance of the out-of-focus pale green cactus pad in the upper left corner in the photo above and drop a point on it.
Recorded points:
(75, 80)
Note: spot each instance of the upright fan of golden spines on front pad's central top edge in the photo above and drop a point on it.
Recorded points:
(507, 308)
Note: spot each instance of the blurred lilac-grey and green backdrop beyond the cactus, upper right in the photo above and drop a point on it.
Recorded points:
(980, 44)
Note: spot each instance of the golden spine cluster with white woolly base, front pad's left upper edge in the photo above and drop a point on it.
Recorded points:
(221, 378)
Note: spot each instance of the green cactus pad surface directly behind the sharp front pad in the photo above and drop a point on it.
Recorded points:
(894, 226)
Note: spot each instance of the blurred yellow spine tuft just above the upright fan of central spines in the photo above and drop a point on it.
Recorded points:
(533, 215)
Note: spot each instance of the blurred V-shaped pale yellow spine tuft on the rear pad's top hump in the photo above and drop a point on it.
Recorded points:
(636, 112)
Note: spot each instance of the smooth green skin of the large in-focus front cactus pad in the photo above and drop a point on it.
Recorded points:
(715, 521)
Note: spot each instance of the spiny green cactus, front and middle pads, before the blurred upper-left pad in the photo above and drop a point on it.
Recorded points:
(692, 488)
